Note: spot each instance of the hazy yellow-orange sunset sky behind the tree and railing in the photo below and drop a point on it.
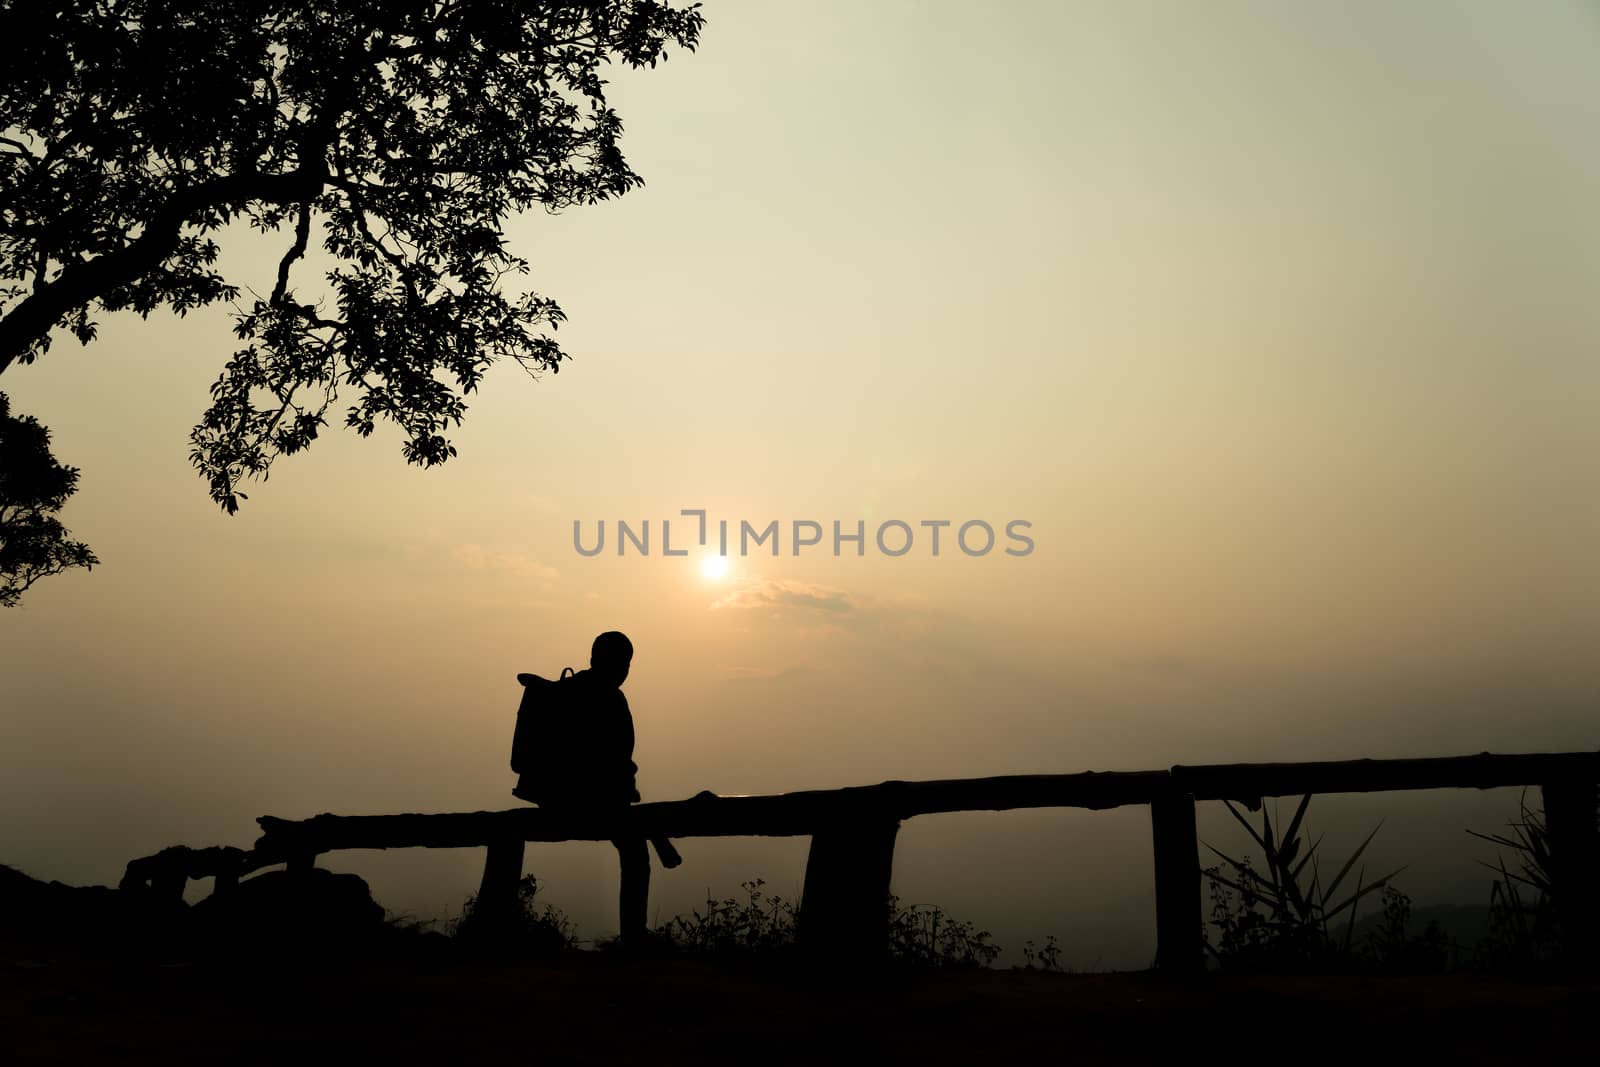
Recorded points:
(1279, 322)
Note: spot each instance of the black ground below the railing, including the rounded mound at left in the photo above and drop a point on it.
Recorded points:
(308, 970)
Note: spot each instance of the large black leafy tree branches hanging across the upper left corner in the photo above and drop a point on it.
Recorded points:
(401, 134)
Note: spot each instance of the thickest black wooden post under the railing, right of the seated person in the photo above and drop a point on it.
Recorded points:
(846, 903)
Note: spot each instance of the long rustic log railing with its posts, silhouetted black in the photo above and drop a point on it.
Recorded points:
(847, 882)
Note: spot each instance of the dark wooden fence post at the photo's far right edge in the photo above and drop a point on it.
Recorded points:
(1572, 826)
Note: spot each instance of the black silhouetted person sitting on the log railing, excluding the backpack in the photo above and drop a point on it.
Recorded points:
(594, 765)
